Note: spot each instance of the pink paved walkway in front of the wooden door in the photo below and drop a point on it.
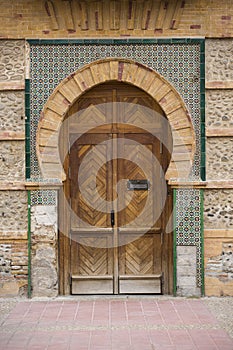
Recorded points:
(113, 324)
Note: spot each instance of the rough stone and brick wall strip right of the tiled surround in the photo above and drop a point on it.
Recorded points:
(218, 201)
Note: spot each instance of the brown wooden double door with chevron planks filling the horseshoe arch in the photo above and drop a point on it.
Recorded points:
(119, 202)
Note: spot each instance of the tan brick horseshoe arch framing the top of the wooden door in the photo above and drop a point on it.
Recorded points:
(113, 69)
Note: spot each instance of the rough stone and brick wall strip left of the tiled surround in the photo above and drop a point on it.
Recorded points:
(13, 197)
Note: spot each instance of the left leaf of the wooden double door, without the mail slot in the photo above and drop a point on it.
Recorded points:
(91, 233)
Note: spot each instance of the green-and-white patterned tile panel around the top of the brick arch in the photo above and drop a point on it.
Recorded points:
(178, 63)
